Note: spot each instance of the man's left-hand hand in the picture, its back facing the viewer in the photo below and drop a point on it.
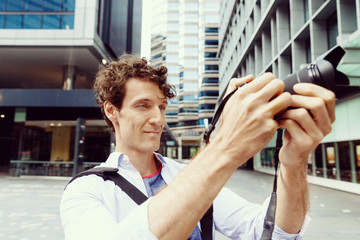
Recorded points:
(248, 117)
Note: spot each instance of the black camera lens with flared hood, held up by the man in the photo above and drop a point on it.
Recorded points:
(324, 73)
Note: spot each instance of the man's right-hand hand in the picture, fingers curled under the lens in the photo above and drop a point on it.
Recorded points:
(307, 123)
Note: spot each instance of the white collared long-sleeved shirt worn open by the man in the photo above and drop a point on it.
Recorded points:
(92, 208)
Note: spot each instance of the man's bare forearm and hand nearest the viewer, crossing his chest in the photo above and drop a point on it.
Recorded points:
(248, 125)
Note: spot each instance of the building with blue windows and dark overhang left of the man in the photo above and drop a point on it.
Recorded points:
(50, 51)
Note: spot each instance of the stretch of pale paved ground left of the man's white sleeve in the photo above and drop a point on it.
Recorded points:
(29, 208)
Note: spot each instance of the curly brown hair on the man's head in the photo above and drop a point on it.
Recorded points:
(111, 79)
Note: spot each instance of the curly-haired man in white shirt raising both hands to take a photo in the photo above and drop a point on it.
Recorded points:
(133, 98)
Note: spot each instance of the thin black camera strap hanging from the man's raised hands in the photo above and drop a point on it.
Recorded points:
(269, 220)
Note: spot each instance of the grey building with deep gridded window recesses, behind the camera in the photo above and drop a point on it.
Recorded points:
(282, 37)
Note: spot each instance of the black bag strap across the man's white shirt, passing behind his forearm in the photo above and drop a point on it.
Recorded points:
(135, 194)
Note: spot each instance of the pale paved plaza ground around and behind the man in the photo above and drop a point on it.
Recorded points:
(30, 207)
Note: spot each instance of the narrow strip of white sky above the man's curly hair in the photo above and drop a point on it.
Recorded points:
(146, 27)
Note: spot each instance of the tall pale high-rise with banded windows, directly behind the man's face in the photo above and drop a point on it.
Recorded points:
(184, 39)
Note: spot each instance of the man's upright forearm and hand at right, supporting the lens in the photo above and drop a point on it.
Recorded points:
(306, 125)
